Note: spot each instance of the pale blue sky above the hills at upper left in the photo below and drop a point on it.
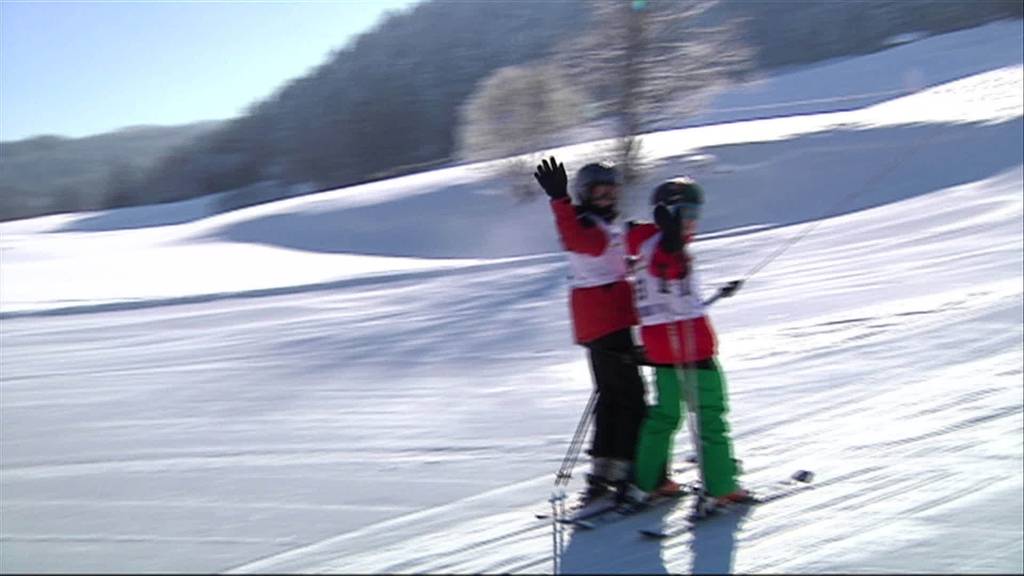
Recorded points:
(80, 68)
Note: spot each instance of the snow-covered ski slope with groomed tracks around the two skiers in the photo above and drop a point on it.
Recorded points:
(381, 379)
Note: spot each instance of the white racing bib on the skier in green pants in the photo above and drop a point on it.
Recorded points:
(662, 301)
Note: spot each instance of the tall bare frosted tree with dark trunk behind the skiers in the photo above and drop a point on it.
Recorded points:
(649, 62)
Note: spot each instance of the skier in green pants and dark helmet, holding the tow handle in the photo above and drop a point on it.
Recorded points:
(681, 344)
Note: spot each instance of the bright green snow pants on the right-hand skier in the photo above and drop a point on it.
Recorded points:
(664, 420)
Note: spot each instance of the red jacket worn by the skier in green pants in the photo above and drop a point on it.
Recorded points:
(681, 342)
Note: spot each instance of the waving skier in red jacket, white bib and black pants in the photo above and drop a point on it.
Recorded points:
(602, 302)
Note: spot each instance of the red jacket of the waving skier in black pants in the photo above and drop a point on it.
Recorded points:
(599, 311)
